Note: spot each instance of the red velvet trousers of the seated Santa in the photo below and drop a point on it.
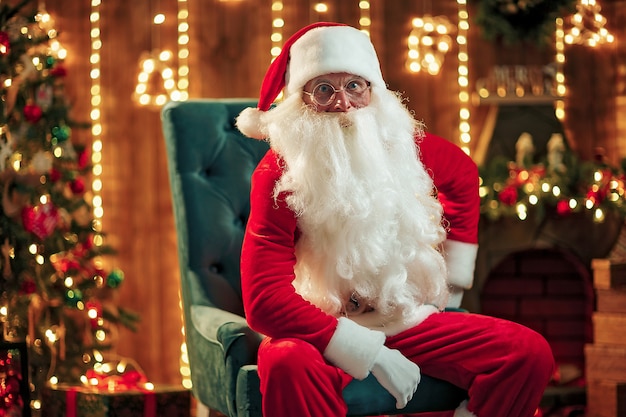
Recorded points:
(504, 366)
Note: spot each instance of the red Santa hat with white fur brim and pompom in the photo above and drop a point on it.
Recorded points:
(318, 49)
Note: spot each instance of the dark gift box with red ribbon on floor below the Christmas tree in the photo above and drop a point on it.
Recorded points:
(79, 401)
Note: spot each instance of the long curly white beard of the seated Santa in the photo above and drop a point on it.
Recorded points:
(371, 227)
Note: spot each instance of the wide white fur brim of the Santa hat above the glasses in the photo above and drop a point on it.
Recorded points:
(331, 49)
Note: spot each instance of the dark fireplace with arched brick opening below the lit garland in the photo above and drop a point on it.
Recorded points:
(538, 273)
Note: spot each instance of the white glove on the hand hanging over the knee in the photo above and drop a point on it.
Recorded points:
(396, 374)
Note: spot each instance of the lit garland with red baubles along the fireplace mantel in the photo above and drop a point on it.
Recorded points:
(510, 189)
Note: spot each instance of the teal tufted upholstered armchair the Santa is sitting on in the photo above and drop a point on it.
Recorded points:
(210, 164)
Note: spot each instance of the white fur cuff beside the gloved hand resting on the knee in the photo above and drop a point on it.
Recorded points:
(353, 348)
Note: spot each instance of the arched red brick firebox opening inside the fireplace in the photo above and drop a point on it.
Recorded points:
(548, 290)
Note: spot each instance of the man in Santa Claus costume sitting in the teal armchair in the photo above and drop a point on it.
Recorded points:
(362, 229)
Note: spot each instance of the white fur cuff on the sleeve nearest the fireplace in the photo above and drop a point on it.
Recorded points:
(461, 261)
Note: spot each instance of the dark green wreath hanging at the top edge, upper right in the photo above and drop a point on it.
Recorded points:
(515, 21)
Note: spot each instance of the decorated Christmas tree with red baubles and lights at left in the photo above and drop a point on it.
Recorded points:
(55, 293)
